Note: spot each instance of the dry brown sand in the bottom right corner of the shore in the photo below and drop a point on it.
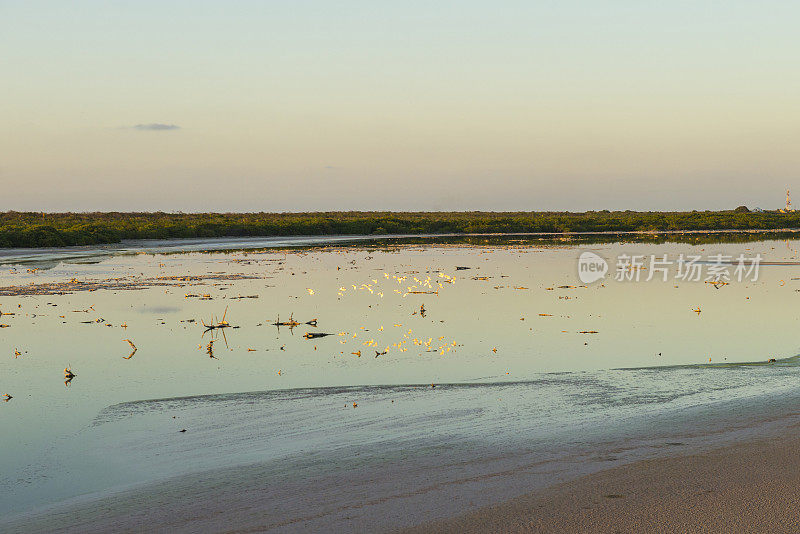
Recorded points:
(747, 487)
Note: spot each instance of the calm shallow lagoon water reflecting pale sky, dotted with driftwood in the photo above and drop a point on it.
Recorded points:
(550, 395)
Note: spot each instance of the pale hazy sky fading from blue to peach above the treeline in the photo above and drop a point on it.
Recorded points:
(308, 105)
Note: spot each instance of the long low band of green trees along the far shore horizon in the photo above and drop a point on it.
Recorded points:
(18, 229)
